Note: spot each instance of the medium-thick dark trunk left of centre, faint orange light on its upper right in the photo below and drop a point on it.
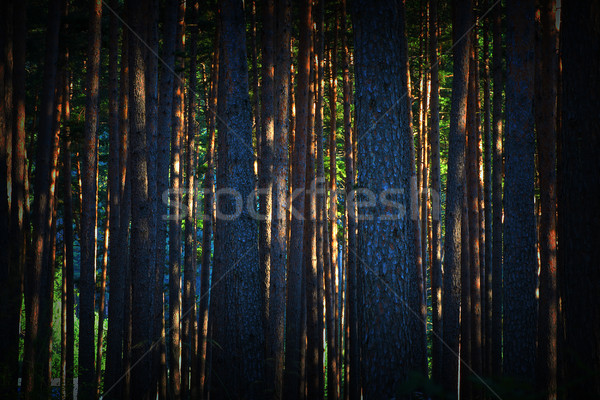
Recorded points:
(141, 259)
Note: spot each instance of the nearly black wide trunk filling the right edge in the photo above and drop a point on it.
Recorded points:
(579, 214)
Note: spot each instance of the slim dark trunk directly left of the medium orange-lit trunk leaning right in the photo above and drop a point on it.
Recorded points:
(436, 225)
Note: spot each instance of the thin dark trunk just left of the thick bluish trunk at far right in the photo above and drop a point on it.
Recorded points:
(497, 174)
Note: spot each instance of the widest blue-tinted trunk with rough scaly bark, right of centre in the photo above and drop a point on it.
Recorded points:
(390, 335)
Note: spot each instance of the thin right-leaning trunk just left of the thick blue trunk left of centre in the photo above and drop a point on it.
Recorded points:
(208, 210)
